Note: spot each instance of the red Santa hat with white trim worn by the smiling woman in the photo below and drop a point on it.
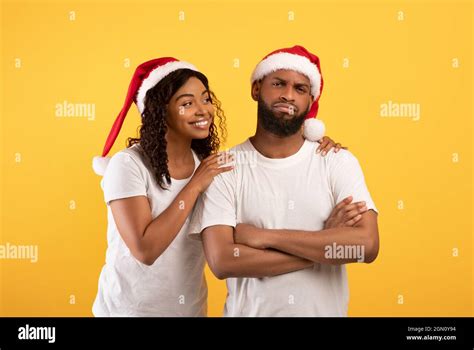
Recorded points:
(146, 76)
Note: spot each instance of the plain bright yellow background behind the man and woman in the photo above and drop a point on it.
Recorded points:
(424, 197)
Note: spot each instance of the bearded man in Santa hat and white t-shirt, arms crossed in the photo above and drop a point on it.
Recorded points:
(264, 225)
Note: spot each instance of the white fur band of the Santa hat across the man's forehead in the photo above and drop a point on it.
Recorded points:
(285, 60)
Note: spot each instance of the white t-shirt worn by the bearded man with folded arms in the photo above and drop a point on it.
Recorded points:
(297, 192)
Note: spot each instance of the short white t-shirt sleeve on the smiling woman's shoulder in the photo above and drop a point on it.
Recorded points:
(123, 178)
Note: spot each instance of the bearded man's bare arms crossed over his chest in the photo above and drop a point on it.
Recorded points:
(248, 251)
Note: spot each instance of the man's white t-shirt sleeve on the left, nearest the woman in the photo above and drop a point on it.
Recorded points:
(216, 206)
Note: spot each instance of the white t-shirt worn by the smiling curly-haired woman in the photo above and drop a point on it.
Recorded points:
(175, 284)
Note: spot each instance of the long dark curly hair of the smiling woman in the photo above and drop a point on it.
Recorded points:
(153, 129)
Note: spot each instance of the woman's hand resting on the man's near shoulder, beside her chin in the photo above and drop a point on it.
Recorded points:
(209, 168)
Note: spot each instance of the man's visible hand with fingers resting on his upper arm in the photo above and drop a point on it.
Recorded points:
(345, 214)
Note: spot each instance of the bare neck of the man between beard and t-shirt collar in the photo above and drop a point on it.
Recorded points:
(273, 146)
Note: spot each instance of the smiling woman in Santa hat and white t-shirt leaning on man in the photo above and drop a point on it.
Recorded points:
(152, 268)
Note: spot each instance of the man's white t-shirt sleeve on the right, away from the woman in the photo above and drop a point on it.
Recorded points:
(347, 179)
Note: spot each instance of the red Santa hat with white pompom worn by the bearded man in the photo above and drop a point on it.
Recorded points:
(299, 59)
